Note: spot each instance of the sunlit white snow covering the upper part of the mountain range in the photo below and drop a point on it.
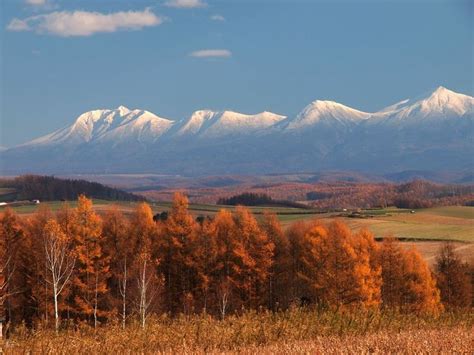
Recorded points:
(122, 125)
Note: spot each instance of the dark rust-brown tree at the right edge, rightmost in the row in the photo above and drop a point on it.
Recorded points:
(453, 278)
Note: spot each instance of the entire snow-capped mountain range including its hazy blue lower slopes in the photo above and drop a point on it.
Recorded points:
(433, 132)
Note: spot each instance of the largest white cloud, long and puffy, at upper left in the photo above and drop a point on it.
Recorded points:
(83, 23)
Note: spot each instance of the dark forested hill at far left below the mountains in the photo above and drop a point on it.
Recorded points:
(49, 188)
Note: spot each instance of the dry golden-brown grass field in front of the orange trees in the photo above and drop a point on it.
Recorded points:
(295, 331)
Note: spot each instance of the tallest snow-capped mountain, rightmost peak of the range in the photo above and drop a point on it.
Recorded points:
(434, 130)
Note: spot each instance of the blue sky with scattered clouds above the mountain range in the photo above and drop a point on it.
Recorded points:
(60, 58)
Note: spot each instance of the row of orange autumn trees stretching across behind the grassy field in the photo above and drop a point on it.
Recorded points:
(76, 266)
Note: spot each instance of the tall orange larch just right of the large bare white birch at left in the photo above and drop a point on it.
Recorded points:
(93, 266)
